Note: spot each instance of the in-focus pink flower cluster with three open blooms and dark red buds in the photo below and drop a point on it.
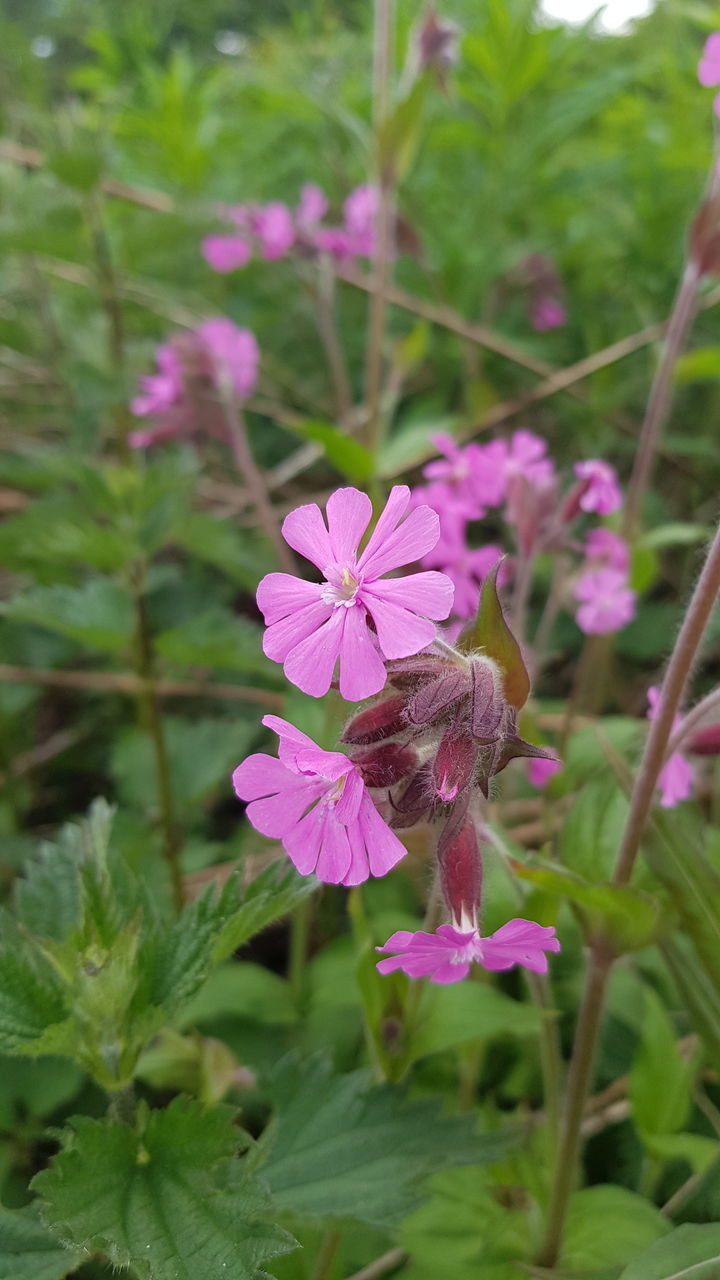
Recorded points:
(425, 751)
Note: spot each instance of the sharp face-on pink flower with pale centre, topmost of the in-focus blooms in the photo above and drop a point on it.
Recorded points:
(313, 625)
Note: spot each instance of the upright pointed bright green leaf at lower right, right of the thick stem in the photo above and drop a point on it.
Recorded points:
(662, 1080)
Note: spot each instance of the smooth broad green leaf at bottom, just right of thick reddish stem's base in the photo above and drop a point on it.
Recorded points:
(609, 1226)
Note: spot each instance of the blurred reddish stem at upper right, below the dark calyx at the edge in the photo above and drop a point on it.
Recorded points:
(660, 395)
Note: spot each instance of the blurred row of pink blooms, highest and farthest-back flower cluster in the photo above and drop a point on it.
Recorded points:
(275, 231)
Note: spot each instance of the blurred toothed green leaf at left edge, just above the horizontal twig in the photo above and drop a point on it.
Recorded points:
(98, 614)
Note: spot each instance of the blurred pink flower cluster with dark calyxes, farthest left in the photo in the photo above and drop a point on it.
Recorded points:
(193, 368)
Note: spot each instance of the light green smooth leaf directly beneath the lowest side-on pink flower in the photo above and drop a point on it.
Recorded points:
(468, 1012)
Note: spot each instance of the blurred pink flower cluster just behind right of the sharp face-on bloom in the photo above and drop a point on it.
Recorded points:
(520, 478)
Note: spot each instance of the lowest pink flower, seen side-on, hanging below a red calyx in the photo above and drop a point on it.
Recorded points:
(446, 956)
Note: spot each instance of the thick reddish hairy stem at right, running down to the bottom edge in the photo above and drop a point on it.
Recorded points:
(680, 668)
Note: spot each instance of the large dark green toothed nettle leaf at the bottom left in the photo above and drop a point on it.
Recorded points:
(160, 1199)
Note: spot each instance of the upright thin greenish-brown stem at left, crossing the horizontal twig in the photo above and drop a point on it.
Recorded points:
(153, 724)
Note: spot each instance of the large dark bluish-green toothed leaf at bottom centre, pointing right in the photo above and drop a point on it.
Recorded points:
(345, 1150)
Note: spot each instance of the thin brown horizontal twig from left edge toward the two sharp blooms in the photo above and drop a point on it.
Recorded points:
(127, 683)
